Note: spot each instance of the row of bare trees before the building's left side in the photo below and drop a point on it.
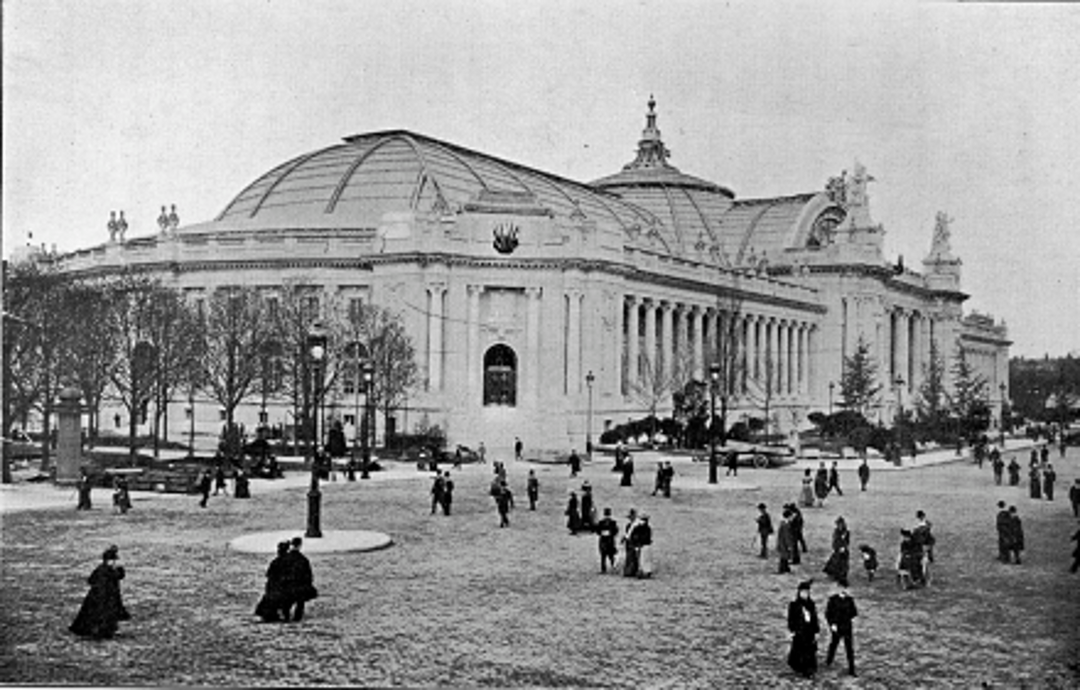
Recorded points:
(131, 340)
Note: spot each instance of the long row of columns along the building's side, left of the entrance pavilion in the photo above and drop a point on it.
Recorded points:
(773, 355)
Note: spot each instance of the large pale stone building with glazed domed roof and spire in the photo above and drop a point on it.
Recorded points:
(551, 309)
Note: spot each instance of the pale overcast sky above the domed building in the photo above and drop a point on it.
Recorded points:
(973, 110)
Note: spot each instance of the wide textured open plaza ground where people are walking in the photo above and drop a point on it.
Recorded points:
(456, 602)
